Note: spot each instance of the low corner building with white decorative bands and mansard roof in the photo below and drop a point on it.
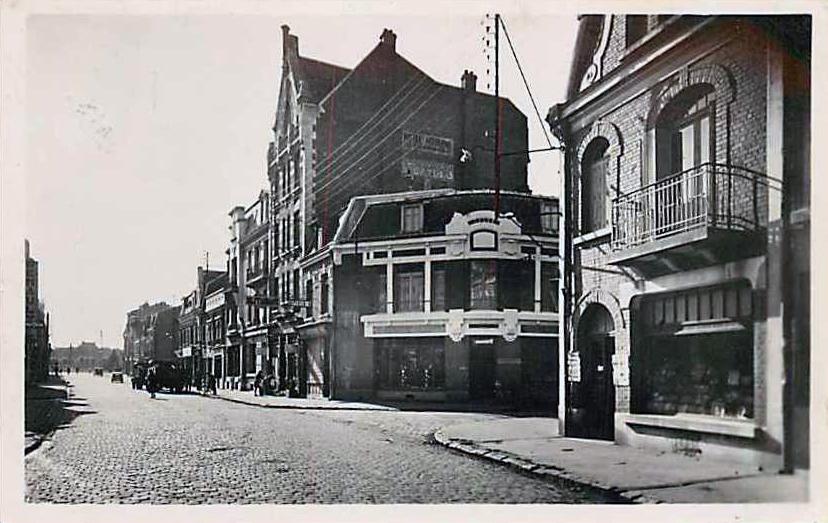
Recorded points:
(435, 299)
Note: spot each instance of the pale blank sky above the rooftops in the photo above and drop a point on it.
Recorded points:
(144, 131)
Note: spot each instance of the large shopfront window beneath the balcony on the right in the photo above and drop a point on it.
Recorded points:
(694, 353)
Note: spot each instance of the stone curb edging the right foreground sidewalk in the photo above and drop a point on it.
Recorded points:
(542, 471)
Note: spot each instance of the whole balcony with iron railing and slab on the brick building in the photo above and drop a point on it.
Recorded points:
(699, 217)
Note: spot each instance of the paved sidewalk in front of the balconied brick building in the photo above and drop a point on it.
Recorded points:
(534, 445)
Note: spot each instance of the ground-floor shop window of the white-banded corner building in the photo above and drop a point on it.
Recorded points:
(410, 364)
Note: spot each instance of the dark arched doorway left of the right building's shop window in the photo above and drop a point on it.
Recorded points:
(596, 346)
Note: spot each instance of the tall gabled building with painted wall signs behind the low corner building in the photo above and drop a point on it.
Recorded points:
(382, 127)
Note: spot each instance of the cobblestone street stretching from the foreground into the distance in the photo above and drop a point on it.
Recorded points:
(129, 448)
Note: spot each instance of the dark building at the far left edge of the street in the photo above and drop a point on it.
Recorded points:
(37, 347)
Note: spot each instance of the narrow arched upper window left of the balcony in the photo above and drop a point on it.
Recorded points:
(594, 170)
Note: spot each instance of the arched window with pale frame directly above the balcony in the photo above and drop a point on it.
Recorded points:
(684, 131)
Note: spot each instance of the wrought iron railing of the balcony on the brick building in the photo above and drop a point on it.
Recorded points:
(709, 195)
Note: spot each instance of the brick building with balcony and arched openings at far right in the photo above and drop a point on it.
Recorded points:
(687, 191)
